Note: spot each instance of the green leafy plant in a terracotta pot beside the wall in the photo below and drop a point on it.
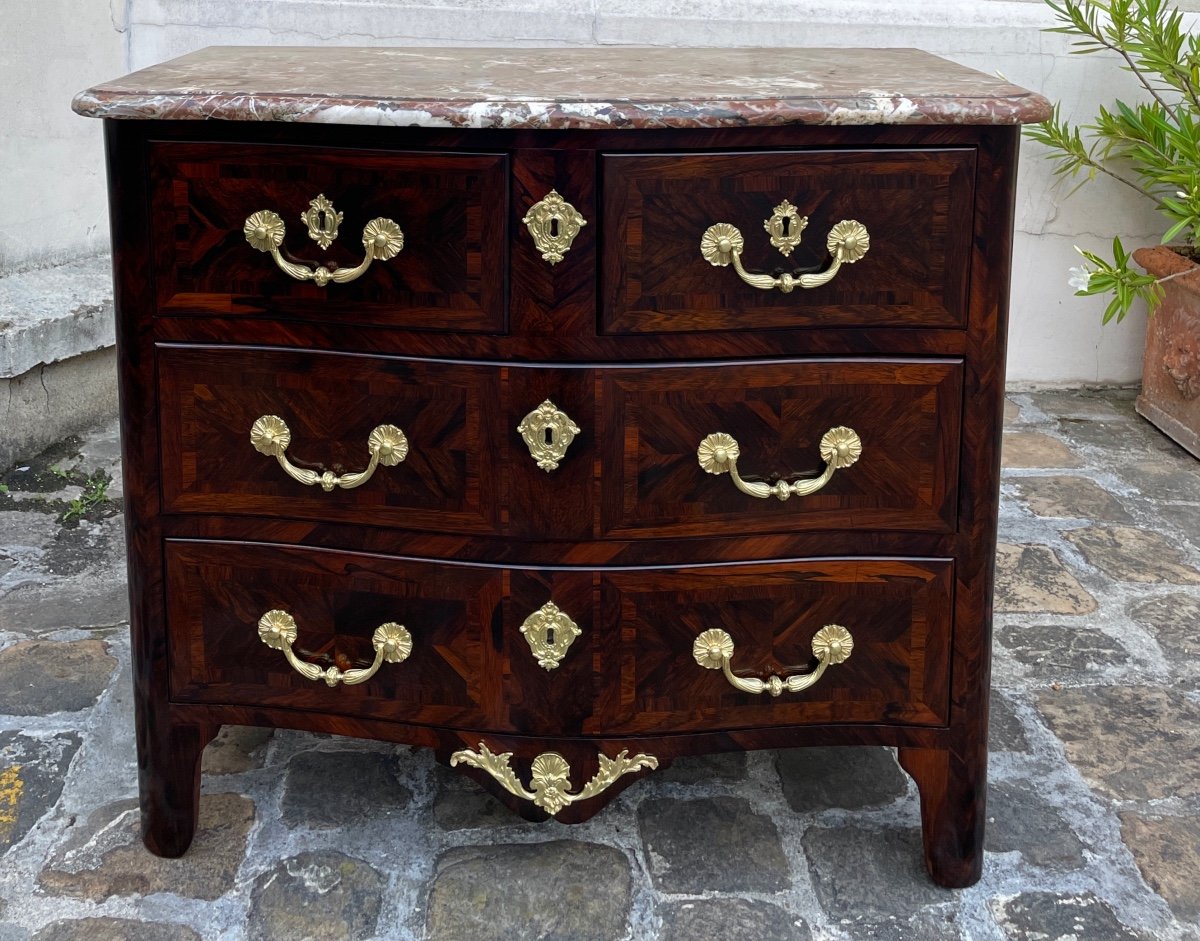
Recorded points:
(1151, 145)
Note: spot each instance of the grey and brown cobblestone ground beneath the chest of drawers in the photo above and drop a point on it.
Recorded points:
(1094, 810)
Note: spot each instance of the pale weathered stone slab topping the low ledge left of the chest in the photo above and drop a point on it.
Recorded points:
(56, 314)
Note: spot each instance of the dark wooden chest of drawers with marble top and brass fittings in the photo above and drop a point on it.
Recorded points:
(565, 413)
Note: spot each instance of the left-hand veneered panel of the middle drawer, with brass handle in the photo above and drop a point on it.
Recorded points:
(219, 403)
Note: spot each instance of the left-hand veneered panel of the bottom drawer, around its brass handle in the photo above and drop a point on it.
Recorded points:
(217, 592)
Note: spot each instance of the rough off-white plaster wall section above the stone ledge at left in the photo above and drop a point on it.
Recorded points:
(52, 187)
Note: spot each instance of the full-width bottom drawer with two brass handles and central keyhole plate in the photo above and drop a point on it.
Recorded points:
(559, 651)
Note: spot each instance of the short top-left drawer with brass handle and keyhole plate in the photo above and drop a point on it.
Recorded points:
(451, 209)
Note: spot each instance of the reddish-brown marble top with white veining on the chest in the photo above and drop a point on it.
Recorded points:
(572, 88)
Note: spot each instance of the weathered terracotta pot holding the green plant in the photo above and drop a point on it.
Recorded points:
(1171, 373)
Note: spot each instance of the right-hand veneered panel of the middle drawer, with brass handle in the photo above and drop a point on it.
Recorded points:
(657, 478)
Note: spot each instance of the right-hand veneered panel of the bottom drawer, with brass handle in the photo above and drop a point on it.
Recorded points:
(897, 614)
